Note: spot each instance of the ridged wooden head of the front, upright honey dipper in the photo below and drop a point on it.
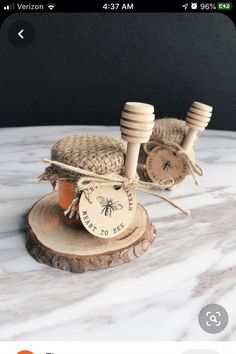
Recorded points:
(137, 121)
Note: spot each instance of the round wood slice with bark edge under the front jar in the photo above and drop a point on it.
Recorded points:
(52, 242)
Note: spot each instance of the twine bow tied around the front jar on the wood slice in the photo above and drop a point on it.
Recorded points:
(91, 179)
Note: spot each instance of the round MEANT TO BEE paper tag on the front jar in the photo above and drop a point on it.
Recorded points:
(108, 211)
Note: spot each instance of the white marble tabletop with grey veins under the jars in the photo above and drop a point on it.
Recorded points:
(156, 297)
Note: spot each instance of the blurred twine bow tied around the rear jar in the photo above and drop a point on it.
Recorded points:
(194, 168)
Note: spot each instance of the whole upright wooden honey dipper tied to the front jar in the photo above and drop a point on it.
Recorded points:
(136, 125)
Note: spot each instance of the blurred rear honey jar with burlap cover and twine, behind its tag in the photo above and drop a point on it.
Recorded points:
(168, 133)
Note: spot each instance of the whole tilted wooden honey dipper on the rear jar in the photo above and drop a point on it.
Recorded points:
(198, 118)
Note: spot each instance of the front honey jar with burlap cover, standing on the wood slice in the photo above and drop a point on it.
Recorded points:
(101, 155)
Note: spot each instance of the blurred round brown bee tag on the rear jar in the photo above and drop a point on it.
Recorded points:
(162, 164)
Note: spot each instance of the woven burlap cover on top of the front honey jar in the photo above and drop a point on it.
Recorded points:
(99, 154)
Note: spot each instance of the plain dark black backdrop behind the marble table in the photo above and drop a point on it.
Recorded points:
(81, 68)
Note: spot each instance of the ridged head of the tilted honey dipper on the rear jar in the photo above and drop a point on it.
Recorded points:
(198, 116)
